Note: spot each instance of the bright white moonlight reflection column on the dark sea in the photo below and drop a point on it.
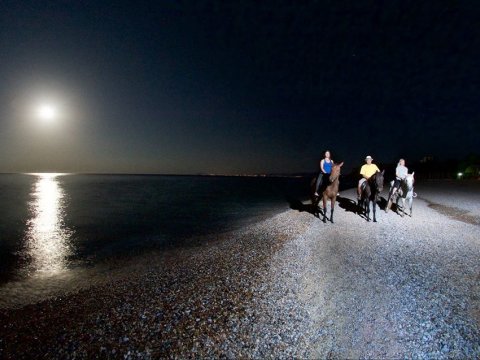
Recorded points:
(47, 238)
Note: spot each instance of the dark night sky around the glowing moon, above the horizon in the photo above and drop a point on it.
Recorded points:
(236, 87)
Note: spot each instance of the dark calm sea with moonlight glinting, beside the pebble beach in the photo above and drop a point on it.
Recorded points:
(55, 226)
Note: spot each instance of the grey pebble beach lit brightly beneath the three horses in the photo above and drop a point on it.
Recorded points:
(289, 286)
